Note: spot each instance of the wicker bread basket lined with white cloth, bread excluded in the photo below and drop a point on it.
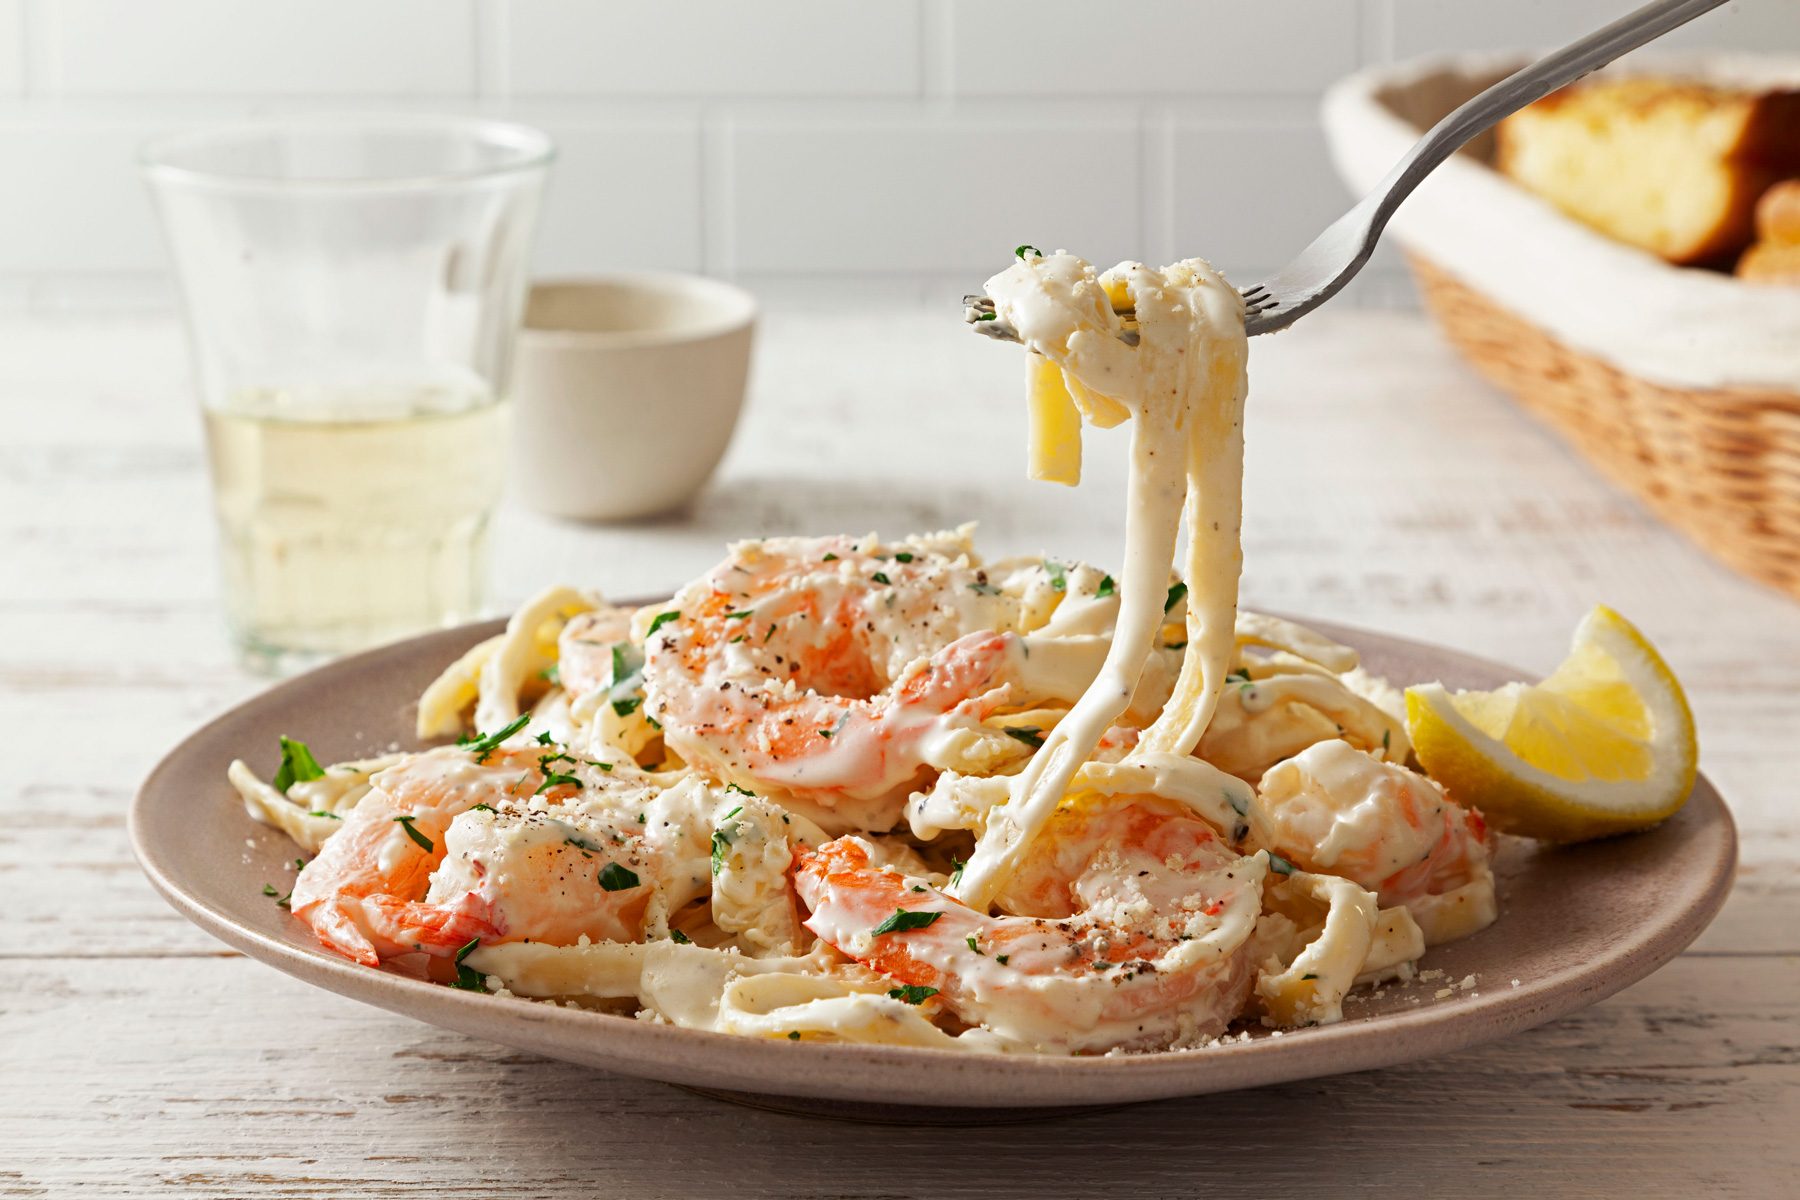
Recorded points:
(1680, 386)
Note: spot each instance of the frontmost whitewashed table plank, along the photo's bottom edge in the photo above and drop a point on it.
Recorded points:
(235, 1080)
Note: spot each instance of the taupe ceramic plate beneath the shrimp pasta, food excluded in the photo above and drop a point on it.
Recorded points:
(1576, 926)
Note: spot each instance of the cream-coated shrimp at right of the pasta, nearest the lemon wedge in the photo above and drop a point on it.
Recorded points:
(1336, 810)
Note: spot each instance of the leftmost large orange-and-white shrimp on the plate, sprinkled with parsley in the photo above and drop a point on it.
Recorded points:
(456, 845)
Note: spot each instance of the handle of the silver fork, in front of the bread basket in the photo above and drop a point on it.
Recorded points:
(1524, 87)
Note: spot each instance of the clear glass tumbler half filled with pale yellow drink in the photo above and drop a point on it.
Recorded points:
(352, 291)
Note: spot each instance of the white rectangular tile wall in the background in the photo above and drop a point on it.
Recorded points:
(894, 148)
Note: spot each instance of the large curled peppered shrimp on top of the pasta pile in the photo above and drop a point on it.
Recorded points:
(834, 674)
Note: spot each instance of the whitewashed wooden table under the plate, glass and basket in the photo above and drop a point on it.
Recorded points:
(1387, 488)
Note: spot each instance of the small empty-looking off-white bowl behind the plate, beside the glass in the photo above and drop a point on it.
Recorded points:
(627, 391)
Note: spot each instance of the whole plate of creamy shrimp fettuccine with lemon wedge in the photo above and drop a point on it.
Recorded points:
(881, 823)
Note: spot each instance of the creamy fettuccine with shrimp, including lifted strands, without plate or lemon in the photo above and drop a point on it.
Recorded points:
(888, 793)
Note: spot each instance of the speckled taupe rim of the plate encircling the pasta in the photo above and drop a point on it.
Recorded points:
(1684, 904)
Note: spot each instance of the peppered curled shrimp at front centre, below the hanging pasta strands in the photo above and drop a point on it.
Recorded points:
(1129, 926)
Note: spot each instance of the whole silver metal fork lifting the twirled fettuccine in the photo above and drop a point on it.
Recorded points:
(1340, 253)
